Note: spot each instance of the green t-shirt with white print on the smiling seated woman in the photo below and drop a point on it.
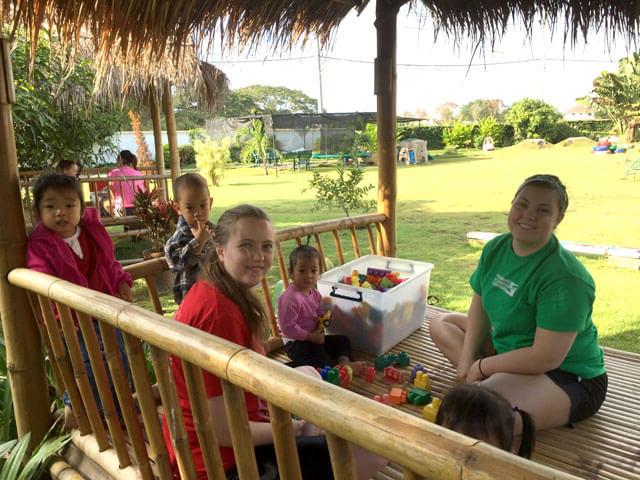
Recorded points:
(549, 289)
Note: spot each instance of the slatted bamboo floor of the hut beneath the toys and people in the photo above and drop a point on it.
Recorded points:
(606, 446)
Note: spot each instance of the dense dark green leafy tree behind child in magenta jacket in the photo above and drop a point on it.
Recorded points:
(54, 114)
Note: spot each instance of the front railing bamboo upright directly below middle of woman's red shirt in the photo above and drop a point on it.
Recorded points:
(241, 439)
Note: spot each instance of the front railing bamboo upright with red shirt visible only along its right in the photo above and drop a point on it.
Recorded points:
(146, 400)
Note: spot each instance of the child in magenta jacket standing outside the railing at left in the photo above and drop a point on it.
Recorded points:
(69, 242)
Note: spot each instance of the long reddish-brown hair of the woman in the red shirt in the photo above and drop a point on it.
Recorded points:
(214, 272)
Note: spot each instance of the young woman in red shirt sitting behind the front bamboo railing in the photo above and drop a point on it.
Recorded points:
(222, 303)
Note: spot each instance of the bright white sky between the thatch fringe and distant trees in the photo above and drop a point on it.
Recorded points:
(429, 73)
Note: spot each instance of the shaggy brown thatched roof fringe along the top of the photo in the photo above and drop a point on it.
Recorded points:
(139, 28)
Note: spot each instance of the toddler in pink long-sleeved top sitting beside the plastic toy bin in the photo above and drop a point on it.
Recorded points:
(299, 309)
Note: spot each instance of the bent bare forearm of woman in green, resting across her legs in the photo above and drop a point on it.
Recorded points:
(548, 351)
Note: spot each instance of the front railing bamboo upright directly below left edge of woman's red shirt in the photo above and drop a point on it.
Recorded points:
(202, 421)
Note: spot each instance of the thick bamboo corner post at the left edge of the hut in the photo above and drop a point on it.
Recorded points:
(25, 362)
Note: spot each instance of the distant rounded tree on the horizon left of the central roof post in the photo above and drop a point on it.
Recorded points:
(260, 99)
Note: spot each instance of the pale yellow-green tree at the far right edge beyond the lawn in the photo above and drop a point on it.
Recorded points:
(616, 96)
